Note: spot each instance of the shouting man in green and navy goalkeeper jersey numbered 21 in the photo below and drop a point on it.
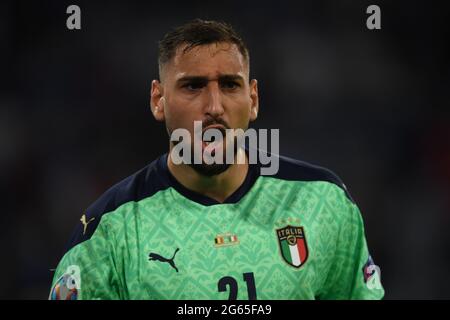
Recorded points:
(221, 230)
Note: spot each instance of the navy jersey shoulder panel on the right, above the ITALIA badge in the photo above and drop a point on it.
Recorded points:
(297, 170)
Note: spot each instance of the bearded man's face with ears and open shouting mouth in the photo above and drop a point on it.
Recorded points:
(208, 83)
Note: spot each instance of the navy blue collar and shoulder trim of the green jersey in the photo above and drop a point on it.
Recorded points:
(156, 177)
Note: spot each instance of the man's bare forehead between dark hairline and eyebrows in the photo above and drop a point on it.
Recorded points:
(212, 60)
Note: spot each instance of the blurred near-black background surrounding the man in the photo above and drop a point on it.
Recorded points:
(370, 105)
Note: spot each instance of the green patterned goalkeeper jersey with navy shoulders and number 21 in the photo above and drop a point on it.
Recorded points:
(294, 235)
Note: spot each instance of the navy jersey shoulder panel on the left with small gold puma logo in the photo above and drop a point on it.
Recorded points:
(140, 185)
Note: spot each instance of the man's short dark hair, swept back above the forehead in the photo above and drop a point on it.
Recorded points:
(196, 33)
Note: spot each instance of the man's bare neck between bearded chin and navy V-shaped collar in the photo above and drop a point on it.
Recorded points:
(218, 187)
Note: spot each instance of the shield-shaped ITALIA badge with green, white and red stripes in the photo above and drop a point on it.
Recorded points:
(293, 245)
